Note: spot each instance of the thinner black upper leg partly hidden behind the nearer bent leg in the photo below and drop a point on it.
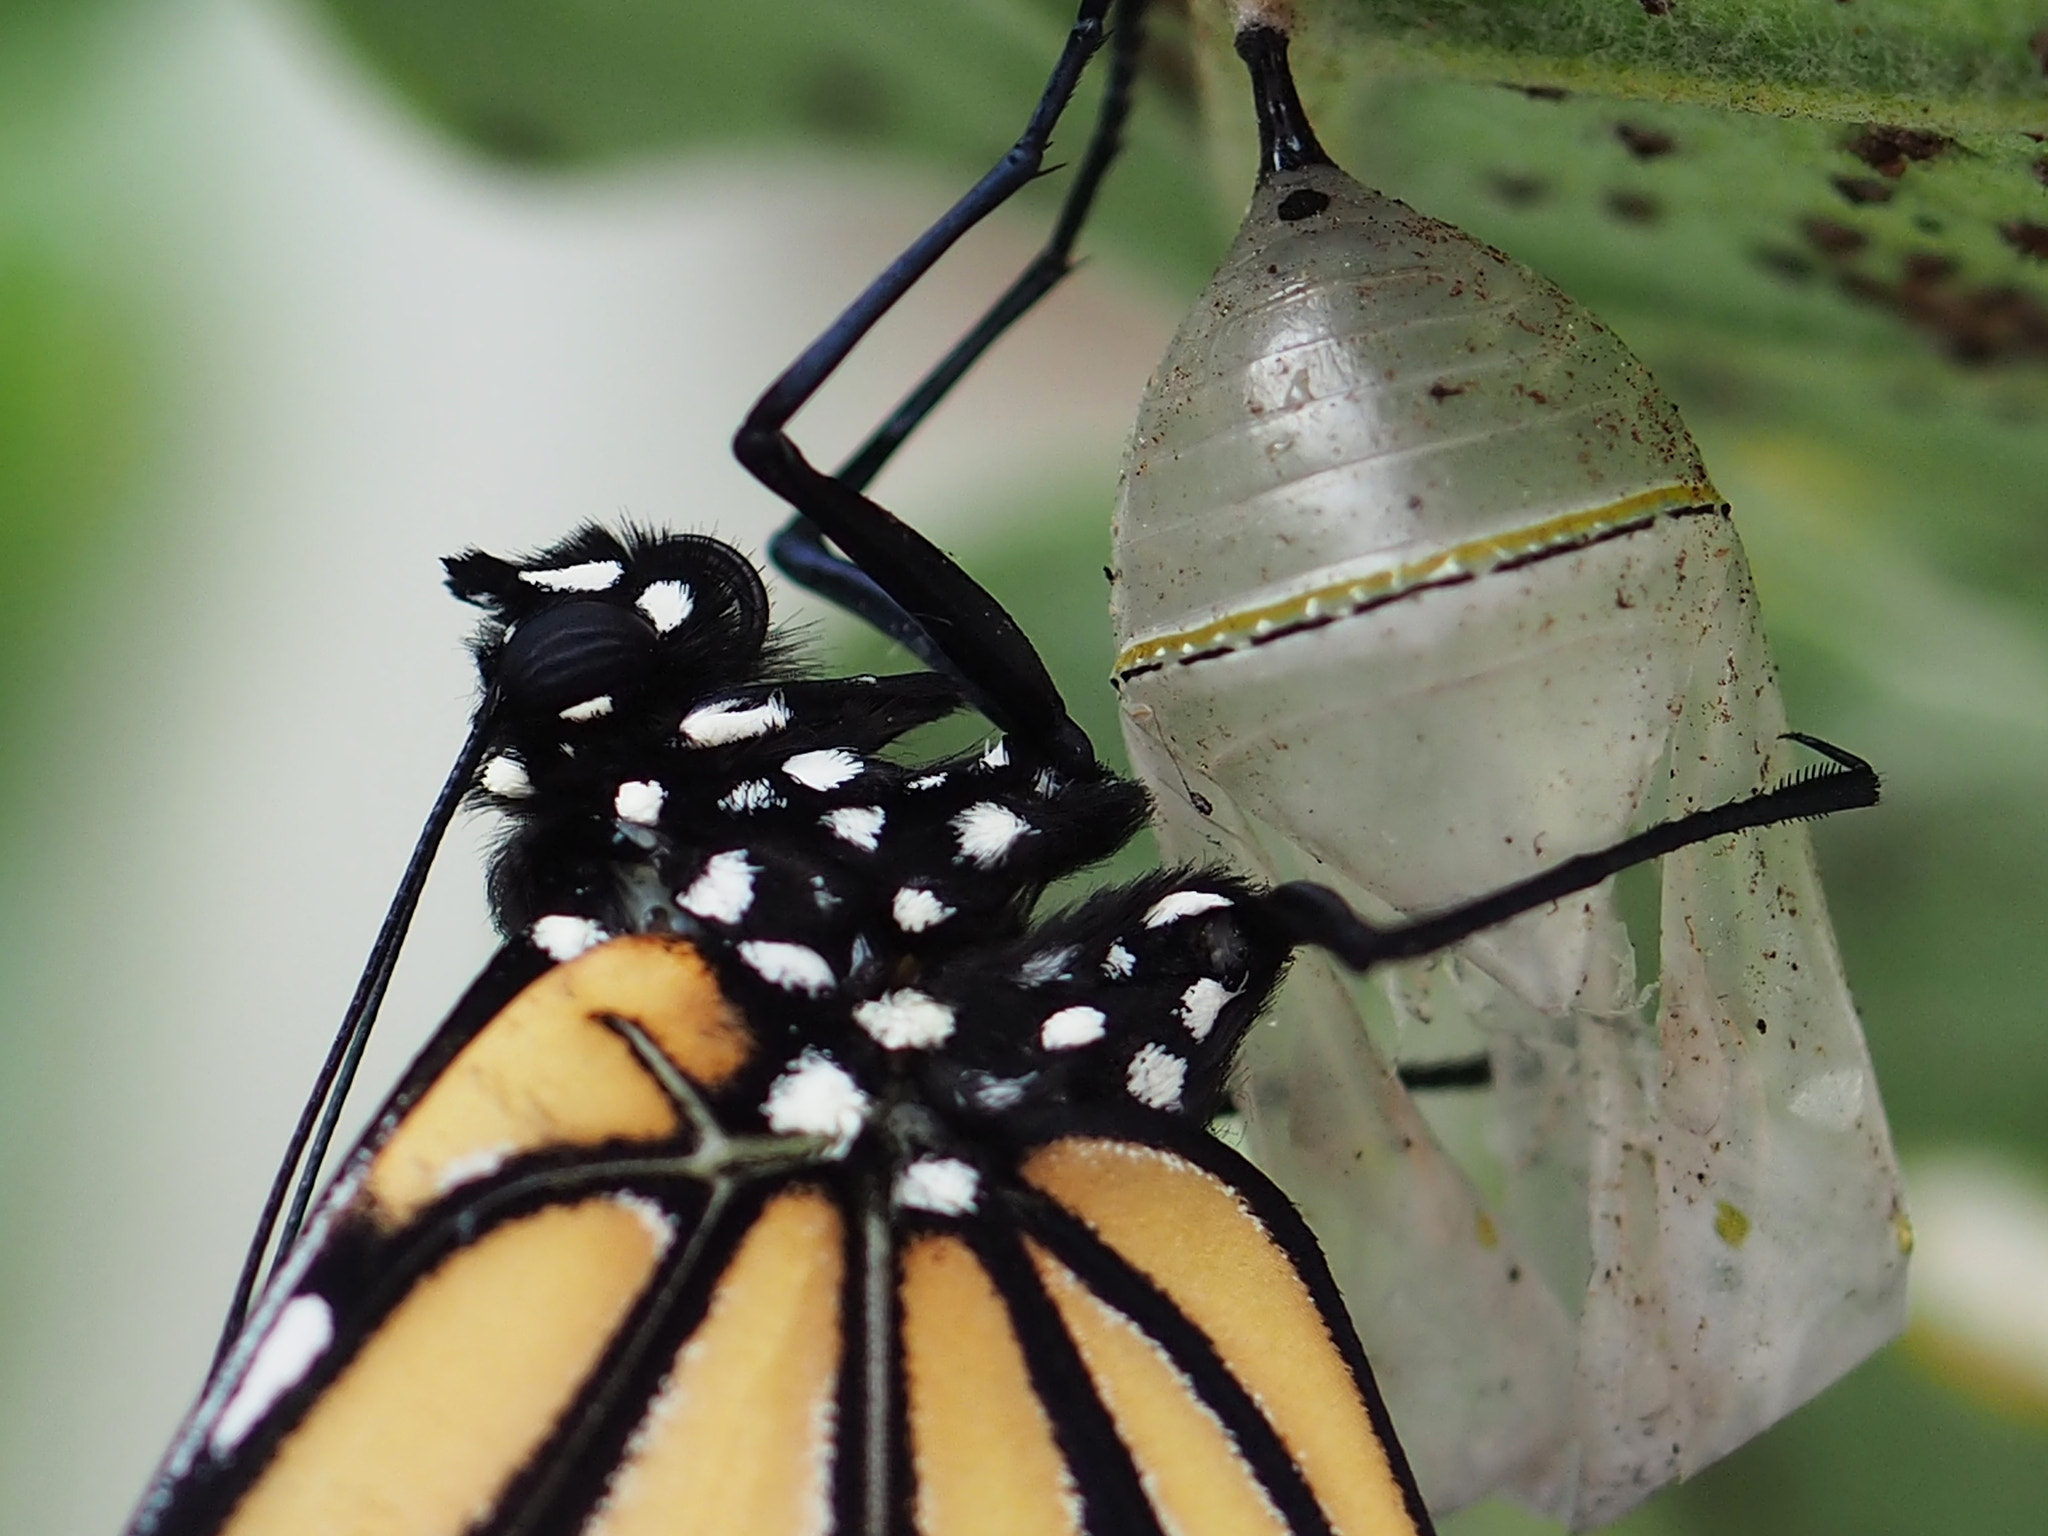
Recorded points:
(800, 550)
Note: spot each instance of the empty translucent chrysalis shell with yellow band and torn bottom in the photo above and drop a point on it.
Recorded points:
(1420, 589)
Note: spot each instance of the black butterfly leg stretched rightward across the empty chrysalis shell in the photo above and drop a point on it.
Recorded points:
(1304, 912)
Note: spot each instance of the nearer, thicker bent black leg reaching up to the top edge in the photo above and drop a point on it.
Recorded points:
(964, 622)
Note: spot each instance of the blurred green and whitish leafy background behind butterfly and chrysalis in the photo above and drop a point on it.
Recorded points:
(298, 296)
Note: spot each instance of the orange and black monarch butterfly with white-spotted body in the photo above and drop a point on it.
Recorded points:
(785, 1172)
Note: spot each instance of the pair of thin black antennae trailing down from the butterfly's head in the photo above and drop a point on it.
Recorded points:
(314, 1134)
